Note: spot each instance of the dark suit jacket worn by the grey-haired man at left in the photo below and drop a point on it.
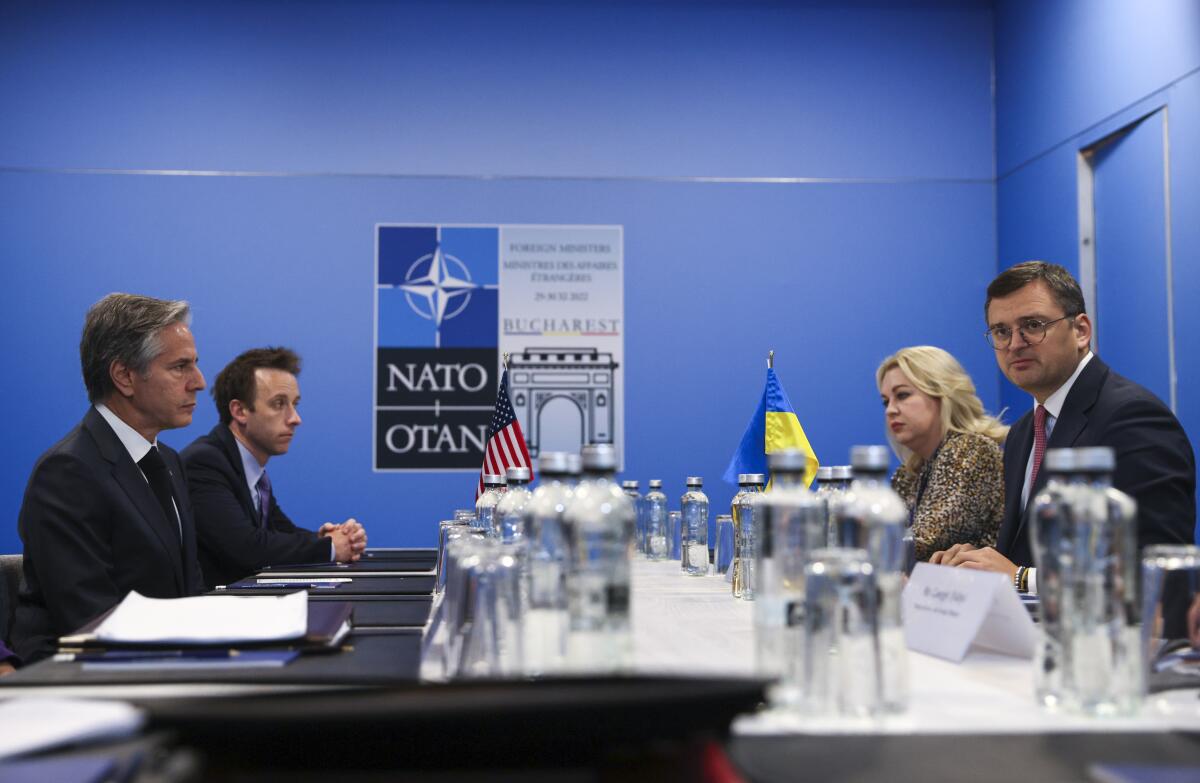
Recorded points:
(93, 531)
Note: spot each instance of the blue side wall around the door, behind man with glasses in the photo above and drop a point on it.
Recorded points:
(1069, 74)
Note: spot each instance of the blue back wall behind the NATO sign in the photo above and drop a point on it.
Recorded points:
(357, 113)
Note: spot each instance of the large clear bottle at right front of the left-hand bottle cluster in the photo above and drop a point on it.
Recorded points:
(601, 523)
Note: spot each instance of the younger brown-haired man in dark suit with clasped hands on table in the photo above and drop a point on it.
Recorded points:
(238, 519)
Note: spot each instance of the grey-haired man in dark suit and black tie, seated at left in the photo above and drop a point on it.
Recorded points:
(106, 511)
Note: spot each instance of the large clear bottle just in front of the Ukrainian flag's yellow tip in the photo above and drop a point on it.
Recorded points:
(773, 595)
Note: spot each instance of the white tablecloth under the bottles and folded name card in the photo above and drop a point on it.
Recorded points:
(694, 626)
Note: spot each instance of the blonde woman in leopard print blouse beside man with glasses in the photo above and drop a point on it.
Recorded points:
(952, 475)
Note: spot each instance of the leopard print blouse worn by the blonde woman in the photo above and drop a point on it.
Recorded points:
(964, 499)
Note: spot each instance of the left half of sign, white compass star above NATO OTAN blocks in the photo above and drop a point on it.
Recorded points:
(436, 345)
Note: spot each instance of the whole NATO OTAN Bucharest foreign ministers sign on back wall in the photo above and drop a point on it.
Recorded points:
(452, 300)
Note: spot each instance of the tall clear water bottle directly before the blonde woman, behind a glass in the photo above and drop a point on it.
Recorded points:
(874, 518)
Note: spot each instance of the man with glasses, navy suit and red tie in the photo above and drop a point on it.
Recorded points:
(1042, 337)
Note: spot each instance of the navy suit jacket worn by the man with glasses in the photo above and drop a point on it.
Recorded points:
(1155, 463)
